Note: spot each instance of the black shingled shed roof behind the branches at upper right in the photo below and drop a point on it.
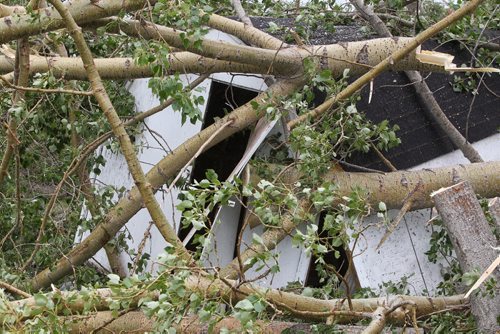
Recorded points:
(469, 102)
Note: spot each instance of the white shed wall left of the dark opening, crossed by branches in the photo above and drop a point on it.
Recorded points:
(168, 134)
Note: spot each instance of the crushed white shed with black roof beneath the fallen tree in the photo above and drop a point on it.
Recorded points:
(366, 264)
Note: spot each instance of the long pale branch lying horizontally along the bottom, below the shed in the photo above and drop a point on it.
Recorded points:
(307, 308)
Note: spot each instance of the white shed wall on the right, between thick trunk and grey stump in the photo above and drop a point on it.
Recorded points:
(402, 254)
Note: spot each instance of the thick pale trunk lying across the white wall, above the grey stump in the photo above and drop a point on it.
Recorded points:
(390, 188)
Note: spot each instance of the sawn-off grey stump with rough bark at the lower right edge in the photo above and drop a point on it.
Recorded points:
(472, 240)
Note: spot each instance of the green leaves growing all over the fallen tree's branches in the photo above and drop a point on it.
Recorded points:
(48, 124)
